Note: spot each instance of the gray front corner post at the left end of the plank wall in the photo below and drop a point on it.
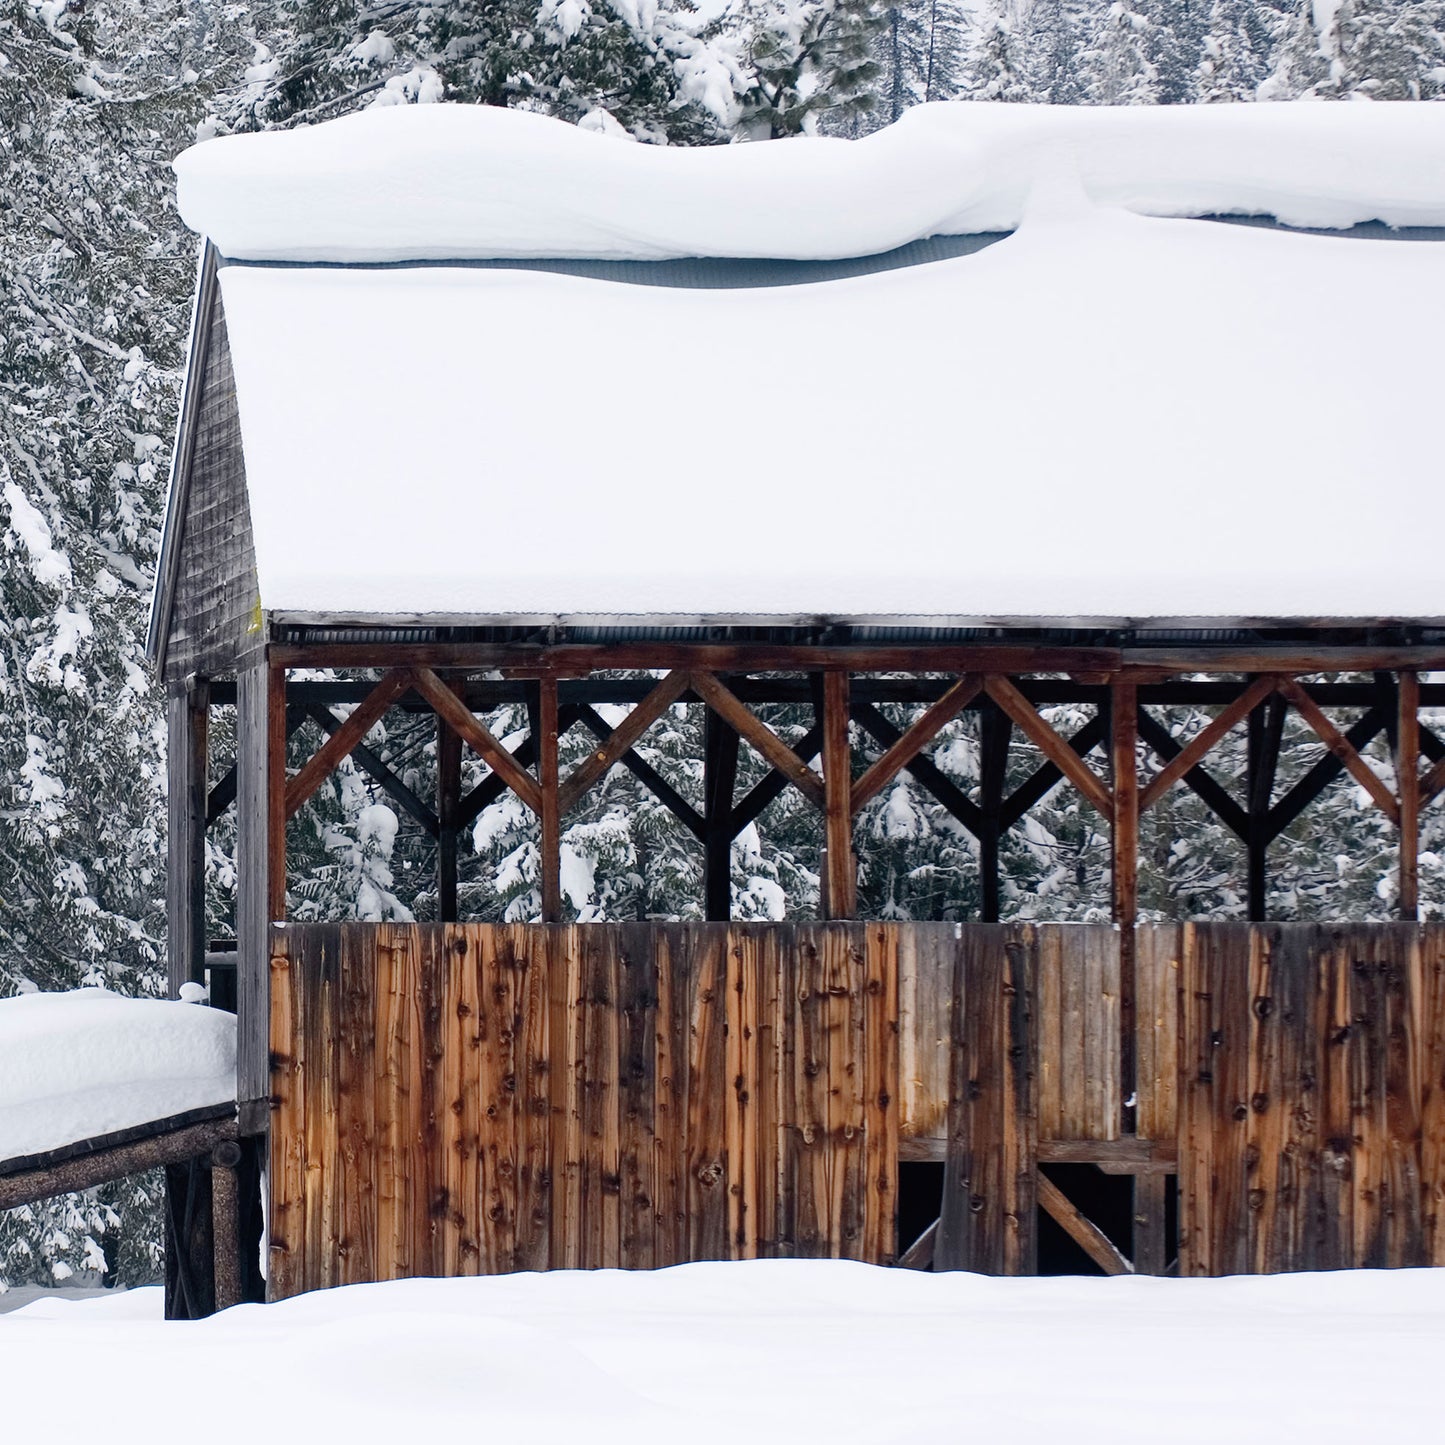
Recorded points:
(261, 868)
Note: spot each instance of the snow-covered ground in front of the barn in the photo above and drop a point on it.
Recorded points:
(772, 1352)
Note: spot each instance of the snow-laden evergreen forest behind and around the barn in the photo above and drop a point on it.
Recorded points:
(96, 281)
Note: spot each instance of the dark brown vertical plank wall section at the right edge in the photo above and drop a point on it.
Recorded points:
(1313, 1097)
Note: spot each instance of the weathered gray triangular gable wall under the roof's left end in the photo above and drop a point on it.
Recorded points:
(215, 615)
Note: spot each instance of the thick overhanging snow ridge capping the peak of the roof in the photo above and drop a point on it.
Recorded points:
(465, 183)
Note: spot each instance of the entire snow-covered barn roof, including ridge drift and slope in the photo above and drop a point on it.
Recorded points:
(1106, 415)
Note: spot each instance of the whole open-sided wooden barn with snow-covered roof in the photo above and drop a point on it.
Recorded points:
(485, 411)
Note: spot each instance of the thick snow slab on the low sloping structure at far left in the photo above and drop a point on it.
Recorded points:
(79, 1066)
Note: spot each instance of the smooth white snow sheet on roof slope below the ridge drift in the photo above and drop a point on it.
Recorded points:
(1100, 417)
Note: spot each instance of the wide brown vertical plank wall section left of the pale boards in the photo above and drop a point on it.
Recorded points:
(452, 1100)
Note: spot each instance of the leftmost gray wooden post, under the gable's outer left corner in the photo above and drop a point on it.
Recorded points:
(187, 762)
